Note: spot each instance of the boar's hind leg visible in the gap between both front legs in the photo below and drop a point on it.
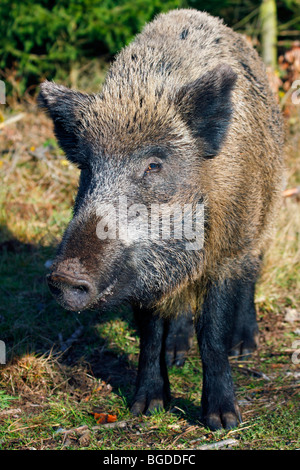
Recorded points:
(179, 339)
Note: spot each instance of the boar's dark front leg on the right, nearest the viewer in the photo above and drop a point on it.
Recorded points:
(214, 330)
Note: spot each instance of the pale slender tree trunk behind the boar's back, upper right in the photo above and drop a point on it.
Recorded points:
(268, 19)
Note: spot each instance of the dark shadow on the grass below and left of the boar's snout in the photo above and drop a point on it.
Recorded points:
(32, 322)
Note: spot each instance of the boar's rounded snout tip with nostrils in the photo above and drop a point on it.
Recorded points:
(73, 293)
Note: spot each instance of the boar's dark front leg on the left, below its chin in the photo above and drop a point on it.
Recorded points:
(152, 389)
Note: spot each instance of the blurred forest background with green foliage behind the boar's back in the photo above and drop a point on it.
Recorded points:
(72, 40)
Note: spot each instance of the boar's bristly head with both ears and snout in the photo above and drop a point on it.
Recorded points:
(140, 148)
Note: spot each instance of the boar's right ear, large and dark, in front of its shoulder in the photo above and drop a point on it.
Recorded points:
(206, 107)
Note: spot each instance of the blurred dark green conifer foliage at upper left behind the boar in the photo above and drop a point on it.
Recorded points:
(46, 39)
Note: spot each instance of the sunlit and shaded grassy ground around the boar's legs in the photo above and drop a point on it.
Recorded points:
(63, 367)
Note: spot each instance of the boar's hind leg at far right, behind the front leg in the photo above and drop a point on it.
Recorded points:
(245, 329)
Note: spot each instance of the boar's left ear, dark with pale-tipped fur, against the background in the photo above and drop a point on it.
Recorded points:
(65, 107)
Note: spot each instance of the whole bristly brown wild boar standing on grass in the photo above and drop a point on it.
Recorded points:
(185, 119)
